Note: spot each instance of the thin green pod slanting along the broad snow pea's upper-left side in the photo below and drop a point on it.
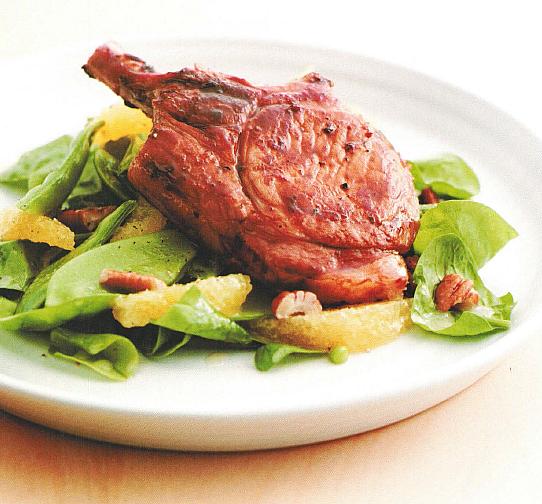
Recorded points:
(35, 294)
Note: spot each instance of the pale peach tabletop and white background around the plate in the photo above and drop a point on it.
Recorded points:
(483, 445)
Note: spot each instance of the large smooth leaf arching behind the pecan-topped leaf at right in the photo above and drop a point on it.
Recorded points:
(482, 230)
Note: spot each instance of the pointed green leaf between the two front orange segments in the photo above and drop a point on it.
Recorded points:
(194, 315)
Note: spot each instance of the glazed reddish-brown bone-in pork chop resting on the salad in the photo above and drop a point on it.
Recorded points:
(294, 189)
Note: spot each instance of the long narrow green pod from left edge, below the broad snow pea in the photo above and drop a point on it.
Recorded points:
(47, 318)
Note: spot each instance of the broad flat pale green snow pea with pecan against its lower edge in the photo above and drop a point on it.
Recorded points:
(163, 254)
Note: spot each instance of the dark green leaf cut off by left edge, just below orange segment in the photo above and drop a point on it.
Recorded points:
(18, 264)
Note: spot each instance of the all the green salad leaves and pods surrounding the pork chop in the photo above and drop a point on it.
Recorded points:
(62, 295)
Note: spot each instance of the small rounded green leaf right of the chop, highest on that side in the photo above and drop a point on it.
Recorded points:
(447, 175)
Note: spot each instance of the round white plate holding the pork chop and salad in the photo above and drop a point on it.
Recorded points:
(195, 401)
